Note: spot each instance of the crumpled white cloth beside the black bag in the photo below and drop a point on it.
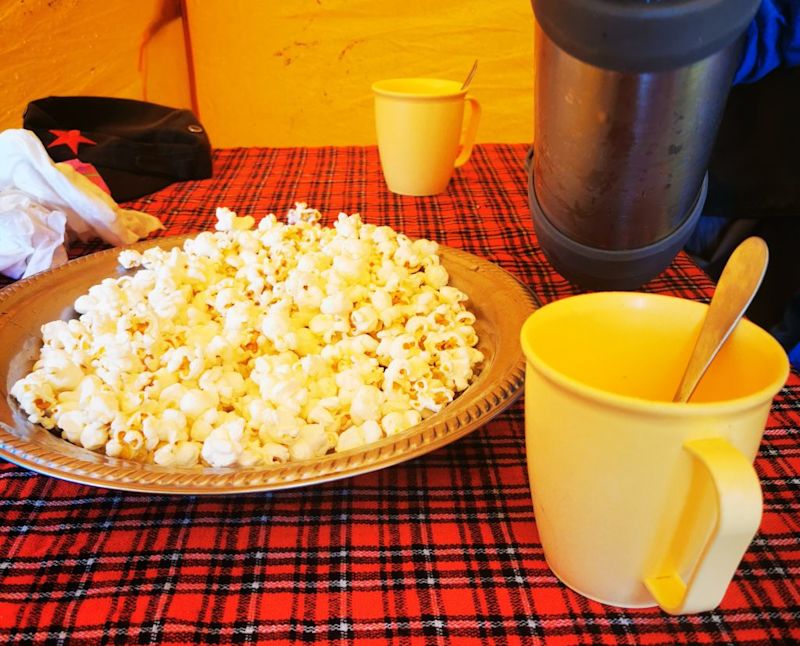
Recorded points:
(42, 202)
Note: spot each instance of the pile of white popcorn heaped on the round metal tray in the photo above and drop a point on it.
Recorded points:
(257, 346)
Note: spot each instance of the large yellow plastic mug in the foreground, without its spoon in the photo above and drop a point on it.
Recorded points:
(638, 500)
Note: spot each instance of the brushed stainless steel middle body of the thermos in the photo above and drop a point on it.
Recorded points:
(619, 157)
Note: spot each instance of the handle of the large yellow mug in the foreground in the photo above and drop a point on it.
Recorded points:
(739, 504)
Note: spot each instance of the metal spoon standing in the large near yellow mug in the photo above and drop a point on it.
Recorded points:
(736, 287)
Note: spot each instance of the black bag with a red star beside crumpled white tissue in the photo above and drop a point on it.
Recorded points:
(136, 147)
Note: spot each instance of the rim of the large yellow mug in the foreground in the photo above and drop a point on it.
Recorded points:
(629, 402)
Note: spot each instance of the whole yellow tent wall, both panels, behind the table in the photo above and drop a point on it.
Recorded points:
(270, 73)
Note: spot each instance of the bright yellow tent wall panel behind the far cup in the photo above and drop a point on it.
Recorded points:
(299, 73)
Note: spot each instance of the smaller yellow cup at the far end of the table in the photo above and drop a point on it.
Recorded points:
(419, 127)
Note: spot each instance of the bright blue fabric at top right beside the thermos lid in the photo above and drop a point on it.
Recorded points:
(772, 41)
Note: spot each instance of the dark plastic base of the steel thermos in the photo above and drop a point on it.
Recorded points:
(607, 269)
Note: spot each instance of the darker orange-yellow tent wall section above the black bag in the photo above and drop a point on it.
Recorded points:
(86, 47)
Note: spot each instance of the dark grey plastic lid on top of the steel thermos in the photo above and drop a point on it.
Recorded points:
(643, 35)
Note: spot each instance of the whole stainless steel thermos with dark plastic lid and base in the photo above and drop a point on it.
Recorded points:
(628, 98)
